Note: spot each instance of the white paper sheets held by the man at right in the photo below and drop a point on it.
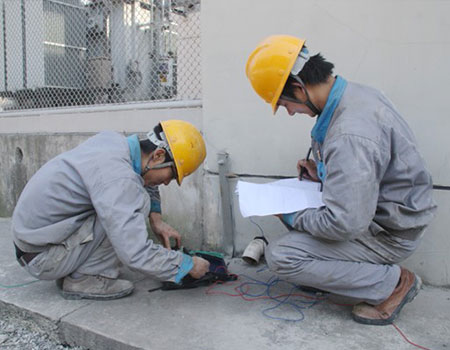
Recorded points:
(278, 197)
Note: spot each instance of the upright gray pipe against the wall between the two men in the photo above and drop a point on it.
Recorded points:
(227, 210)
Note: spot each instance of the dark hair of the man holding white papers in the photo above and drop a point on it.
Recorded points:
(316, 71)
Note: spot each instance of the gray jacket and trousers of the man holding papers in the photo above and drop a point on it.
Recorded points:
(378, 200)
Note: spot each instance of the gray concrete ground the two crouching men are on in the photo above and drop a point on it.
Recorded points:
(203, 319)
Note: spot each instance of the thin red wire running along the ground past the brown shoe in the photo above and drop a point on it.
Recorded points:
(210, 291)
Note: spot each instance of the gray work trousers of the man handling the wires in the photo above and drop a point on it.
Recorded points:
(87, 251)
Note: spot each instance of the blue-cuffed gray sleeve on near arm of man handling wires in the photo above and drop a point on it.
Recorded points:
(122, 207)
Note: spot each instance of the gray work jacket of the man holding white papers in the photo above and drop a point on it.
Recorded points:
(375, 179)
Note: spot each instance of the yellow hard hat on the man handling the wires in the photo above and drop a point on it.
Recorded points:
(186, 144)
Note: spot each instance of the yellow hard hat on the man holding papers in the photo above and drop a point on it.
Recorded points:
(269, 65)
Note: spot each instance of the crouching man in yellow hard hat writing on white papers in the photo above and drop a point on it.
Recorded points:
(377, 192)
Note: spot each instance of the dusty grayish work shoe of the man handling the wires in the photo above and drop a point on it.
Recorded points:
(96, 288)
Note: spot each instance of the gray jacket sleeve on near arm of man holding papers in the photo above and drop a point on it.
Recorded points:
(350, 191)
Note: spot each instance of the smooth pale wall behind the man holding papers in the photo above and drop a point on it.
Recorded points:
(400, 47)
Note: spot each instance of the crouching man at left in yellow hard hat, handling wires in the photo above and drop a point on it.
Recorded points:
(85, 211)
